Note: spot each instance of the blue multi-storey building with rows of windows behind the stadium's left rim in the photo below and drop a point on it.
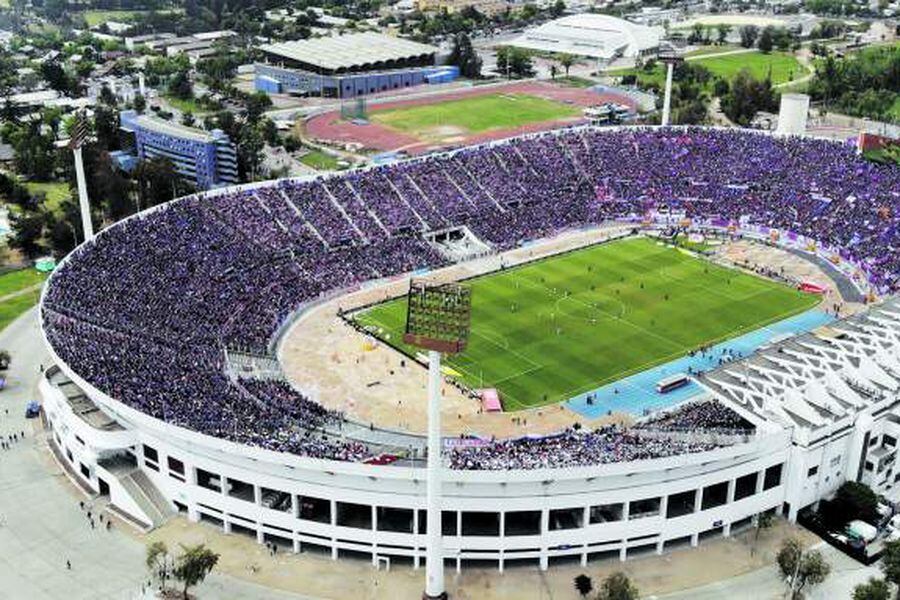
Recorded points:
(207, 159)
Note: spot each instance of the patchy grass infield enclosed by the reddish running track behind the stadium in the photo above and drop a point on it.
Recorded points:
(474, 115)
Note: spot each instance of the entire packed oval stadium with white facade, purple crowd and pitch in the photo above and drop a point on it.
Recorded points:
(684, 327)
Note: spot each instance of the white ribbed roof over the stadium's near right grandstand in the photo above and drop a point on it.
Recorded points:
(819, 380)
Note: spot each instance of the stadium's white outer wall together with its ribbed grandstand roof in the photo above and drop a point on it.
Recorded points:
(825, 406)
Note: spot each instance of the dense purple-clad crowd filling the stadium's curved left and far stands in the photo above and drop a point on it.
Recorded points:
(146, 312)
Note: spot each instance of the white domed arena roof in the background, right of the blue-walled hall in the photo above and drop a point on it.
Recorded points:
(591, 35)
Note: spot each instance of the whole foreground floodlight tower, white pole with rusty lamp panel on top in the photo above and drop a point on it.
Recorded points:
(437, 320)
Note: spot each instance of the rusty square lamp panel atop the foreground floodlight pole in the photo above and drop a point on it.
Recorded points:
(437, 316)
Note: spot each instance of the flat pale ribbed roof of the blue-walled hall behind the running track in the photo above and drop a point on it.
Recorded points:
(349, 51)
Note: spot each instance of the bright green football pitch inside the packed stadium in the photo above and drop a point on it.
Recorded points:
(548, 330)
